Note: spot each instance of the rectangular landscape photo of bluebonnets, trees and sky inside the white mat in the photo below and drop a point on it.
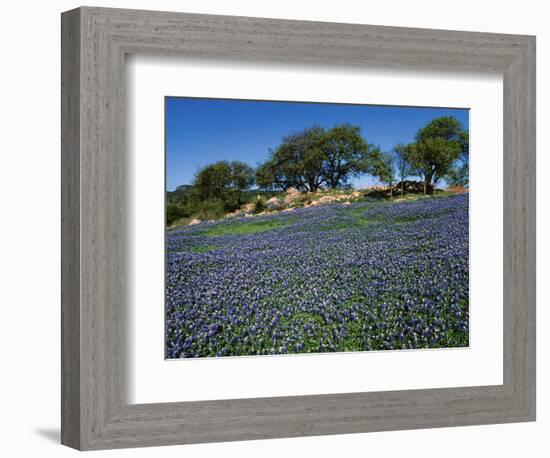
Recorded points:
(299, 227)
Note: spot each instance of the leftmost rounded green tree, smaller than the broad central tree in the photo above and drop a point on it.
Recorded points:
(223, 181)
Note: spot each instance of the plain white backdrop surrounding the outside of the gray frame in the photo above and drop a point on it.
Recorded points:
(30, 245)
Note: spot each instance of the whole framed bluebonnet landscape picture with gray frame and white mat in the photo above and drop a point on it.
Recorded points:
(279, 228)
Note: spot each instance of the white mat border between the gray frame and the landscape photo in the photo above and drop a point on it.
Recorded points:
(150, 79)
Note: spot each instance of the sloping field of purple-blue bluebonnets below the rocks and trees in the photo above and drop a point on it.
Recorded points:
(368, 276)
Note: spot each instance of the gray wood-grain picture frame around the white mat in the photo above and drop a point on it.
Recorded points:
(95, 413)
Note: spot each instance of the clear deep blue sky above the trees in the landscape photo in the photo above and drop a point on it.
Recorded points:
(203, 131)
